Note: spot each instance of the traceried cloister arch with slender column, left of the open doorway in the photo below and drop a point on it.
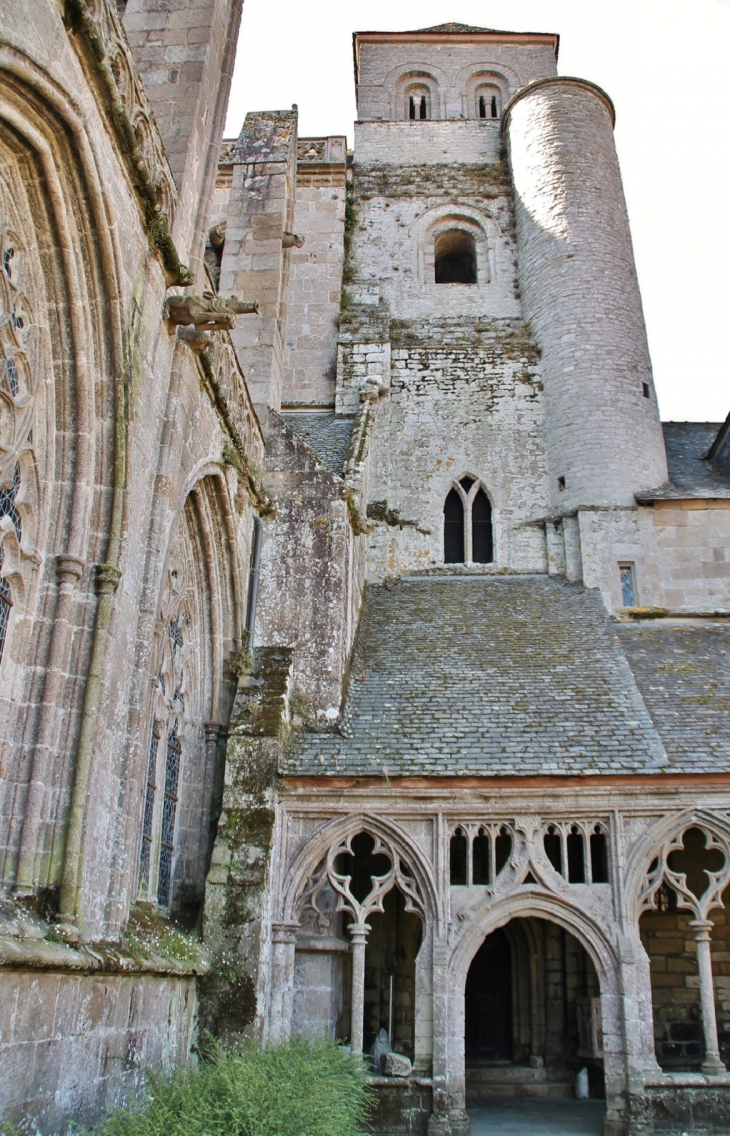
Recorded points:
(364, 904)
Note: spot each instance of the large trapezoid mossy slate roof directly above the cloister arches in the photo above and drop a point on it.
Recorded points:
(488, 676)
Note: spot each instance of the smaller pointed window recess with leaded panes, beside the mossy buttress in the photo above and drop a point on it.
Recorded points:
(198, 628)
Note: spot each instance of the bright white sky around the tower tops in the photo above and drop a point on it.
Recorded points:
(665, 63)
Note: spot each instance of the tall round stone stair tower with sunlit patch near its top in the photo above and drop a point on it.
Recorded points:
(582, 296)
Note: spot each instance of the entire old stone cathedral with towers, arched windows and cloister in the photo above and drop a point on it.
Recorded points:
(365, 634)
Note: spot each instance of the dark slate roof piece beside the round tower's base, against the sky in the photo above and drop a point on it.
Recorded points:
(691, 474)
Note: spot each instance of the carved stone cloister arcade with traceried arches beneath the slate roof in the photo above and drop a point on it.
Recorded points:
(516, 975)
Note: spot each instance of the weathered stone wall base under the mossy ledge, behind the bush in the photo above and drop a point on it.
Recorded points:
(73, 1046)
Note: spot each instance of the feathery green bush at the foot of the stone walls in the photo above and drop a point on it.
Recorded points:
(293, 1090)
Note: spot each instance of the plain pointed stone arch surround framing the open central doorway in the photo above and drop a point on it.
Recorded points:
(528, 904)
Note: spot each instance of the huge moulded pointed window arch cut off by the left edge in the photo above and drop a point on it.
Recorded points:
(63, 427)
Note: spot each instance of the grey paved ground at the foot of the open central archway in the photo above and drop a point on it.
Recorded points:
(539, 1118)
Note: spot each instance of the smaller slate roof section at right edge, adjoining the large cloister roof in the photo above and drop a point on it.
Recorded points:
(684, 675)
